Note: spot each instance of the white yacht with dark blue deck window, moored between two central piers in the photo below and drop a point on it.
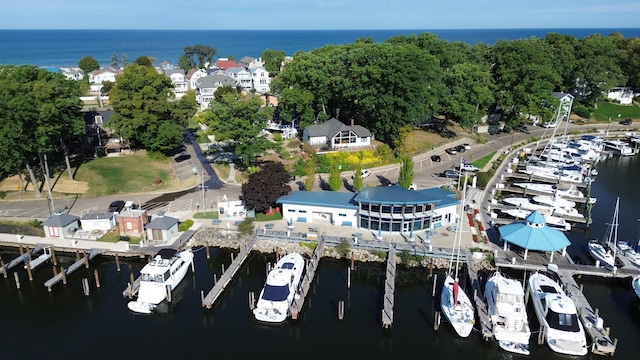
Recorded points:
(279, 289)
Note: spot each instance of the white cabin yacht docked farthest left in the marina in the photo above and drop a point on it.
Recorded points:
(159, 277)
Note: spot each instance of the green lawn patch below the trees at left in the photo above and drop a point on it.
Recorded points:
(123, 175)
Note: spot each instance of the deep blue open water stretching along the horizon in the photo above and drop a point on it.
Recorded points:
(60, 48)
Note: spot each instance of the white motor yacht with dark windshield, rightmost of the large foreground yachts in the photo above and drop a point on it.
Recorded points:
(557, 315)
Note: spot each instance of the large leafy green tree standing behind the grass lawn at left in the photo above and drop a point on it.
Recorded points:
(142, 112)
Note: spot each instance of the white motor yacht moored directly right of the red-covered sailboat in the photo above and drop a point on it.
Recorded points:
(505, 298)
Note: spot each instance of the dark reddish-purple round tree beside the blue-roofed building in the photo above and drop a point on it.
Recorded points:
(263, 189)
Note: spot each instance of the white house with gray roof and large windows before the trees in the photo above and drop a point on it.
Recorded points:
(337, 135)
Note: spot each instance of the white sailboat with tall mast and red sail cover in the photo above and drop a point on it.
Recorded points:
(456, 305)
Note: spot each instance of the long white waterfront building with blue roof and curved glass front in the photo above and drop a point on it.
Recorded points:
(384, 208)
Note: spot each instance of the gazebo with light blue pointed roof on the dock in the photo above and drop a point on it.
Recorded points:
(533, 234)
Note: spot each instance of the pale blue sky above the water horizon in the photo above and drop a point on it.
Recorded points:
(317, 14)
